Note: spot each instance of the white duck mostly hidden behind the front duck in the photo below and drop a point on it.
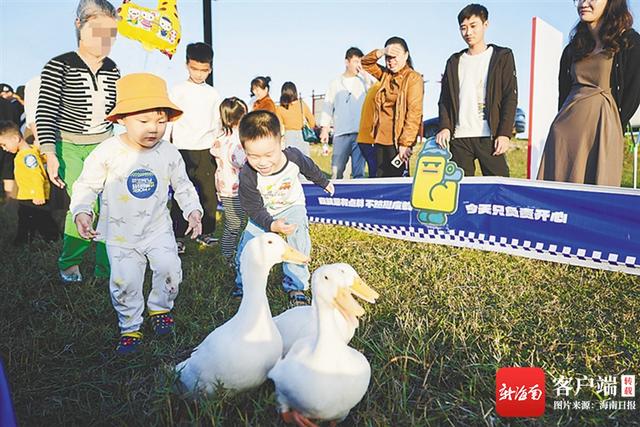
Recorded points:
(300, 322)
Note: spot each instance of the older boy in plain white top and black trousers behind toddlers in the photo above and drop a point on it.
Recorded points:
(193, 134)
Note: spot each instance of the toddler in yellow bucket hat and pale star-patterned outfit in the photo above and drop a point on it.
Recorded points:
(132, 173)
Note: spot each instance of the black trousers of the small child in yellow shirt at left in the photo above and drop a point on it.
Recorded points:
(34, 219)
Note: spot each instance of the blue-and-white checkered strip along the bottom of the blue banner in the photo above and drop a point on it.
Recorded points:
(538, 250)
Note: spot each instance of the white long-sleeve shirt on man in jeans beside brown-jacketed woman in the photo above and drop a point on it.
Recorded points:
(343, 103)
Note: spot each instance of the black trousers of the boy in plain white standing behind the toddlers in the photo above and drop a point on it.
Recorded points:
(201, 167)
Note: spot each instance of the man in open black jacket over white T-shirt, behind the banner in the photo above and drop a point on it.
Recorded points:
(478, 99)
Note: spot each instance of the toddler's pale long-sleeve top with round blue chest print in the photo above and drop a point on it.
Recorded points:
(133, 186)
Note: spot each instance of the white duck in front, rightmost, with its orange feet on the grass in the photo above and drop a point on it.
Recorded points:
(322, 377)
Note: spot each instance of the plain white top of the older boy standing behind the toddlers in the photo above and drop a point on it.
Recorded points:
(199, 124)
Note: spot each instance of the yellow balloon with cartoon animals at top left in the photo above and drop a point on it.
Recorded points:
(154, 28)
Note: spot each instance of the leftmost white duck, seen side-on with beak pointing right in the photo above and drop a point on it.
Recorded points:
(239, 354)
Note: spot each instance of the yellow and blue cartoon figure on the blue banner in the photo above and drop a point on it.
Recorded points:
(435, 184)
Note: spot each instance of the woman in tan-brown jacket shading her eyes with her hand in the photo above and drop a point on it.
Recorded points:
(397, 106)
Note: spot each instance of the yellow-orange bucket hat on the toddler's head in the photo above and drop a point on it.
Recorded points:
(139, 92)
